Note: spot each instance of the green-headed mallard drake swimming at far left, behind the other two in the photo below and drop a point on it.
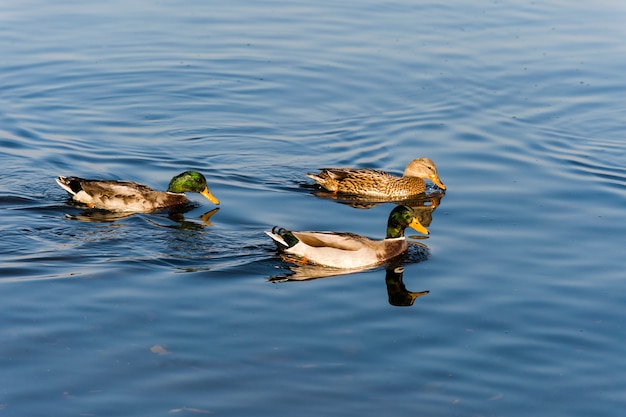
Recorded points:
(127, 196)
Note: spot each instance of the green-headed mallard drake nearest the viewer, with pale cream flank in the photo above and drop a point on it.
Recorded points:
(347, 250)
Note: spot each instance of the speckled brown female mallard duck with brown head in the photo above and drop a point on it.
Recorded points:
(379, 184)
